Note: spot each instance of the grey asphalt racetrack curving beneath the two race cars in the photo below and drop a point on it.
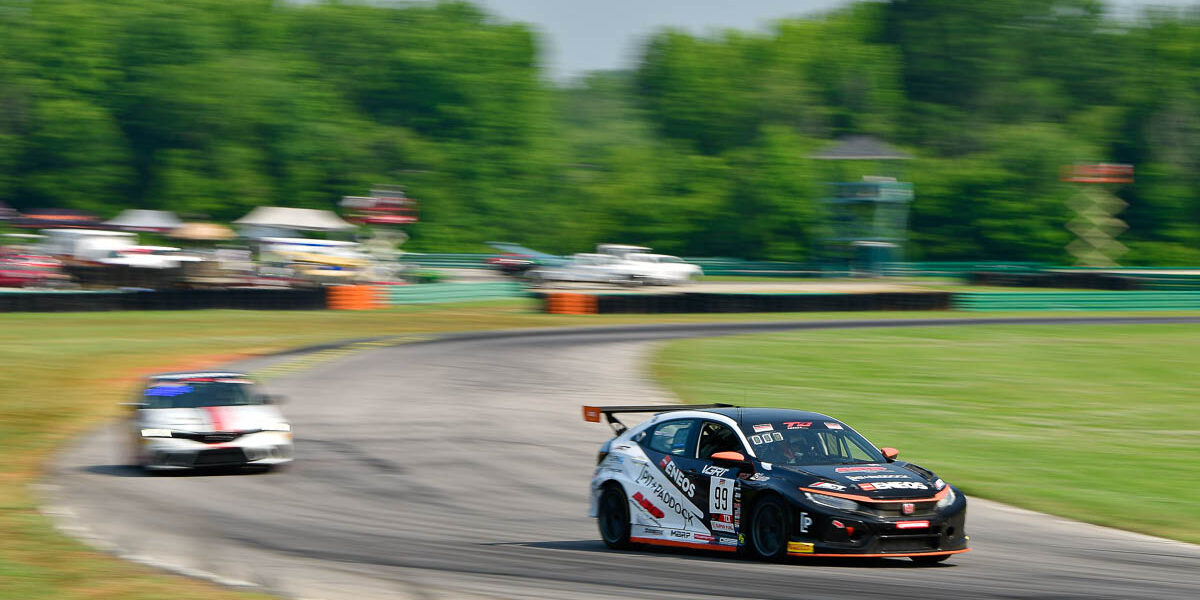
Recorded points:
(460, 469)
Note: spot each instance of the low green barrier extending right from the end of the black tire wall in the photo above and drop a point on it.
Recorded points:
(1138, 301)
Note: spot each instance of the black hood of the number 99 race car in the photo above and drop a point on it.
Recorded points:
(878, 482)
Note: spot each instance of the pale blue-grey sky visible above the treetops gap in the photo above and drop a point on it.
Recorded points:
(585, 35)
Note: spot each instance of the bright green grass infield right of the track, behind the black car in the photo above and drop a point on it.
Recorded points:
(1100, 424)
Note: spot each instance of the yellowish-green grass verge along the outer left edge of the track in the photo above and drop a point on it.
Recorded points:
(67, 373)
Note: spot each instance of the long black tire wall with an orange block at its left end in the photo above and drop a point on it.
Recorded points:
(706, 303)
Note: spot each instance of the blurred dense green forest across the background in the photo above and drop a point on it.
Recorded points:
(213, 107)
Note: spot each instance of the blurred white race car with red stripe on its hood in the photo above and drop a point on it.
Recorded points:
(207, 419)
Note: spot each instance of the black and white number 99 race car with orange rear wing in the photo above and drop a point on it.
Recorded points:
(773, 483)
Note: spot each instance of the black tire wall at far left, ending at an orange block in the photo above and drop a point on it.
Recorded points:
(164, 301)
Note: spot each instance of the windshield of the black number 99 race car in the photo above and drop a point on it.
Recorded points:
(800, 443)
